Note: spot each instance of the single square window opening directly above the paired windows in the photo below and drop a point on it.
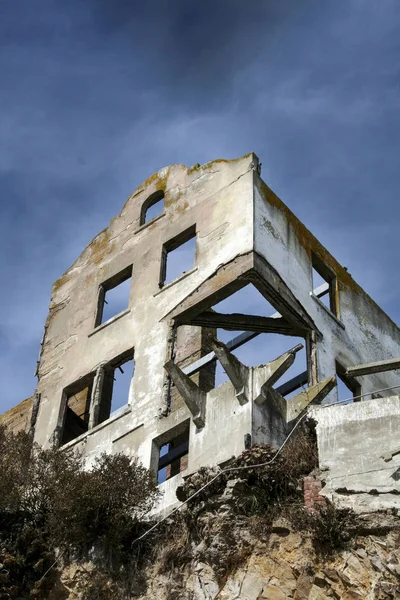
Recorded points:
(114, 296)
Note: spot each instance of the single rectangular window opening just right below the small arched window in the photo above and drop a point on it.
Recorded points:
(178, 256)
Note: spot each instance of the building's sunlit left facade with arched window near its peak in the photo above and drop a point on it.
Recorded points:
(217, 197)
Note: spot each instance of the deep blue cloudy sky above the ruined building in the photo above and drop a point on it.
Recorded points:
(95, 96)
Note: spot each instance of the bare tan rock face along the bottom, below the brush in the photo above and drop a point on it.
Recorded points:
(281, 565)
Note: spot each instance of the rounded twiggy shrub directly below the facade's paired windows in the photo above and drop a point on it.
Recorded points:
(102, 506)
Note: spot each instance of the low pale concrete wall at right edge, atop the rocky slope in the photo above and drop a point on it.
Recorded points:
(353, 442)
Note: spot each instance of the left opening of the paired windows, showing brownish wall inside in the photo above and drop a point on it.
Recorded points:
(77, 398)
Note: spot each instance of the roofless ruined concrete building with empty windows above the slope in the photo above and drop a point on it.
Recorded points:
(128, 308)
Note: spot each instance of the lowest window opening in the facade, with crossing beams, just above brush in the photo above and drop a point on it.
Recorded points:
(171, 452)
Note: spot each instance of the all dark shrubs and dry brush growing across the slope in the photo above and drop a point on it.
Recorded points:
(54, 513)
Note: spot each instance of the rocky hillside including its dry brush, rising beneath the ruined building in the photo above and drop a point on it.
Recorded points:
(253, 538)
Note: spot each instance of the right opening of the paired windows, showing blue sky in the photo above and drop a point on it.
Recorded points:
(117, 384)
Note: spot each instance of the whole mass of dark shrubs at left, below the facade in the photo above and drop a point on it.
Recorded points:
(48, 500)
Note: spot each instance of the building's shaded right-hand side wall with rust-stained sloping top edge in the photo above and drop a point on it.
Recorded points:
(362, 332)
